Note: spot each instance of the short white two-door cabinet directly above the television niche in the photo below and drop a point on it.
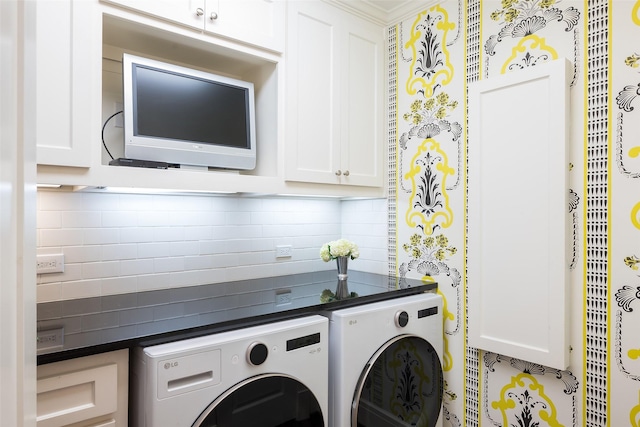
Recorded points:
(257, 22)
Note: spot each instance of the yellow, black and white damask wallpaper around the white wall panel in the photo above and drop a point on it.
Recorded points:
(437, 54)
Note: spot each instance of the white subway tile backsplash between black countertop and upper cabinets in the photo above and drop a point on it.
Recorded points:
(120, 243)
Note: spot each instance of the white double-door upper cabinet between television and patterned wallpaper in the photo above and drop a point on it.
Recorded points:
(334, 113)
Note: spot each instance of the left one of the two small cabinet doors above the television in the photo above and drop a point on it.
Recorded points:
(187, 12)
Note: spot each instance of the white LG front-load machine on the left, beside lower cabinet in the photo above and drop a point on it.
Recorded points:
(268, 375)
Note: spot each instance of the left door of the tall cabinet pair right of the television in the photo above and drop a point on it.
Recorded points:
(313, 91)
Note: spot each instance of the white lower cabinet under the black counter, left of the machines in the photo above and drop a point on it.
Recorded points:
(90, 391)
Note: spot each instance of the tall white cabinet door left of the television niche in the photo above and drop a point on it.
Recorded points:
(65, 73)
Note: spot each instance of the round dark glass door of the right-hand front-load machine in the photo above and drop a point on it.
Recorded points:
(401, 385)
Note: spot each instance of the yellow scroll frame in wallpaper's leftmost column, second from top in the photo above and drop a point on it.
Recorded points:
(445, 215)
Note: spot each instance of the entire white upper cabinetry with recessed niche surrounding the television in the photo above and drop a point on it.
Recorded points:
(301, 148)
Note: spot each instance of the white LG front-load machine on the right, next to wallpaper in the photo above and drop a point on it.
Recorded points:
(385, 363)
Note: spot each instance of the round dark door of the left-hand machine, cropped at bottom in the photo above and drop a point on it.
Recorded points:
(264, 401)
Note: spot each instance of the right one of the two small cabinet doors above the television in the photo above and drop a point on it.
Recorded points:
(258, 22)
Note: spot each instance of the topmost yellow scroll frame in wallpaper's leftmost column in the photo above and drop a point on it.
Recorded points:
(442, 76)
